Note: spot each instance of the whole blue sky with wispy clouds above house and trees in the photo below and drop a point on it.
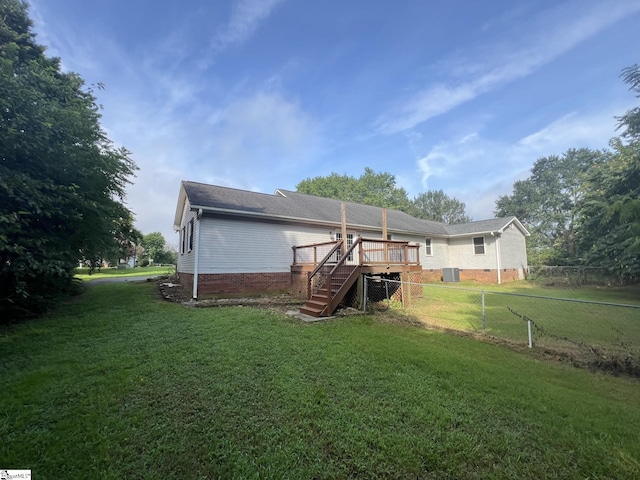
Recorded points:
(461, 96)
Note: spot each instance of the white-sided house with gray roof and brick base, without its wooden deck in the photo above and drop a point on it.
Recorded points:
(238, 242)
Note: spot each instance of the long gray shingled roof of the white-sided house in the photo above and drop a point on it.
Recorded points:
(294, 205)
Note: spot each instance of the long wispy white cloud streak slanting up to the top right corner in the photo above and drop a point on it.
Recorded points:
(500, 65)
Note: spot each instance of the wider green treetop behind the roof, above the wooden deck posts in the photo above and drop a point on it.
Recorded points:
(371, 188)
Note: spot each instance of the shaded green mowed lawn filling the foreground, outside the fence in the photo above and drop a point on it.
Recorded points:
(118, 384)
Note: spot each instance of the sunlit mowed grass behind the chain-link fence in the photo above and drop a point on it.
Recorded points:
(560, 324)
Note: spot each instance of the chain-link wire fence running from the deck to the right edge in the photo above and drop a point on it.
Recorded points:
(597, 334)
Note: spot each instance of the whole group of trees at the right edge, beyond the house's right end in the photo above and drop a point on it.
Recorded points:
(583, 207)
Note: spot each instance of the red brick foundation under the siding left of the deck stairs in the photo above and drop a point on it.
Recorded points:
(238, 283)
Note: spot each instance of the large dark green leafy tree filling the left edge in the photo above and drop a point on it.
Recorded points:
(62, 181)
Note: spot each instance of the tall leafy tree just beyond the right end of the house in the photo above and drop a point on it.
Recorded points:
(548, 203)
